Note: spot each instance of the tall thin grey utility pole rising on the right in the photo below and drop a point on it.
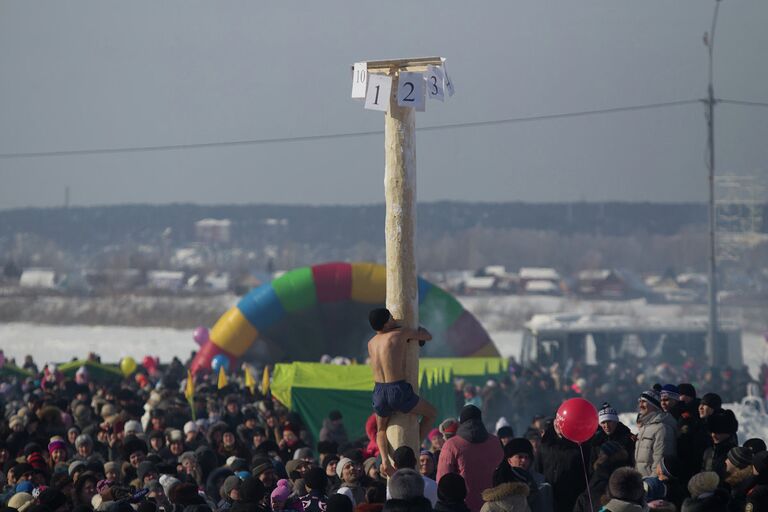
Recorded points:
(712, 329)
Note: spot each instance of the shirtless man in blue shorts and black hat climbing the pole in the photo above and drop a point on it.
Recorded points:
(392, 393)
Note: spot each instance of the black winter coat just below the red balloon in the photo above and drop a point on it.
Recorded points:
(560, 461)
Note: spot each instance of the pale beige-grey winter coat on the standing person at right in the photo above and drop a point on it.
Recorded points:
(656, 438)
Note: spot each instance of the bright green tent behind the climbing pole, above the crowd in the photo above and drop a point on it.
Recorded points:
(314, 389)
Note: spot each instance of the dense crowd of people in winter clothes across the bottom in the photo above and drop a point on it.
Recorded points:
(79, 444)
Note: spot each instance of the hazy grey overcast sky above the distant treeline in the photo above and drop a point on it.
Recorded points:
(97, 75)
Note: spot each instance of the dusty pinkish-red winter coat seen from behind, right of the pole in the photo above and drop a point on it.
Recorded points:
(473, 453)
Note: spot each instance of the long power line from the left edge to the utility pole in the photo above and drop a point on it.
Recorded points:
(309, 138)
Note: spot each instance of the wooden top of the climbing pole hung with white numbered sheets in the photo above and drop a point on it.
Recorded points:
(417, 79)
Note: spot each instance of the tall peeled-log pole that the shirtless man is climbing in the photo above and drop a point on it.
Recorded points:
(400, 231)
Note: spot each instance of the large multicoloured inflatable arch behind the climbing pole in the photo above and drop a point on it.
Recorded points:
(323, 309)
